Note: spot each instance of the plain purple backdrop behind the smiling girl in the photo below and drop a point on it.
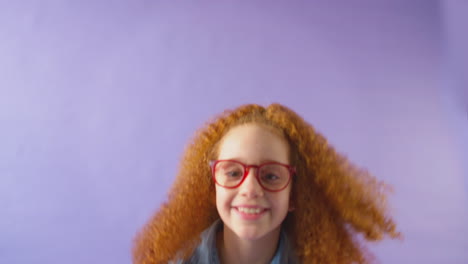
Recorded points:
(99, 98)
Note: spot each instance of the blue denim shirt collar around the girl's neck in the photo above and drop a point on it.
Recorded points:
(206, 252)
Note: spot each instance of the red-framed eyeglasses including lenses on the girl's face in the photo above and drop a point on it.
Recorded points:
(272, 176)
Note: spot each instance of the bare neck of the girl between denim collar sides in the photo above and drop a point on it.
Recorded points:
(233, 249)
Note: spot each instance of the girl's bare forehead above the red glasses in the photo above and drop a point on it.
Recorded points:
(253, 143)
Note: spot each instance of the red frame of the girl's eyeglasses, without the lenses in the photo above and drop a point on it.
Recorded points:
(246, 167)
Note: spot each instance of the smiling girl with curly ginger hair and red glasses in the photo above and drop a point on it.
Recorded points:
(260, 185)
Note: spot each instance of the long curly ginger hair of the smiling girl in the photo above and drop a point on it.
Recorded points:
(337, 205)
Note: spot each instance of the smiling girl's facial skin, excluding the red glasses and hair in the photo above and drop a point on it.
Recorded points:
(249, 211)
